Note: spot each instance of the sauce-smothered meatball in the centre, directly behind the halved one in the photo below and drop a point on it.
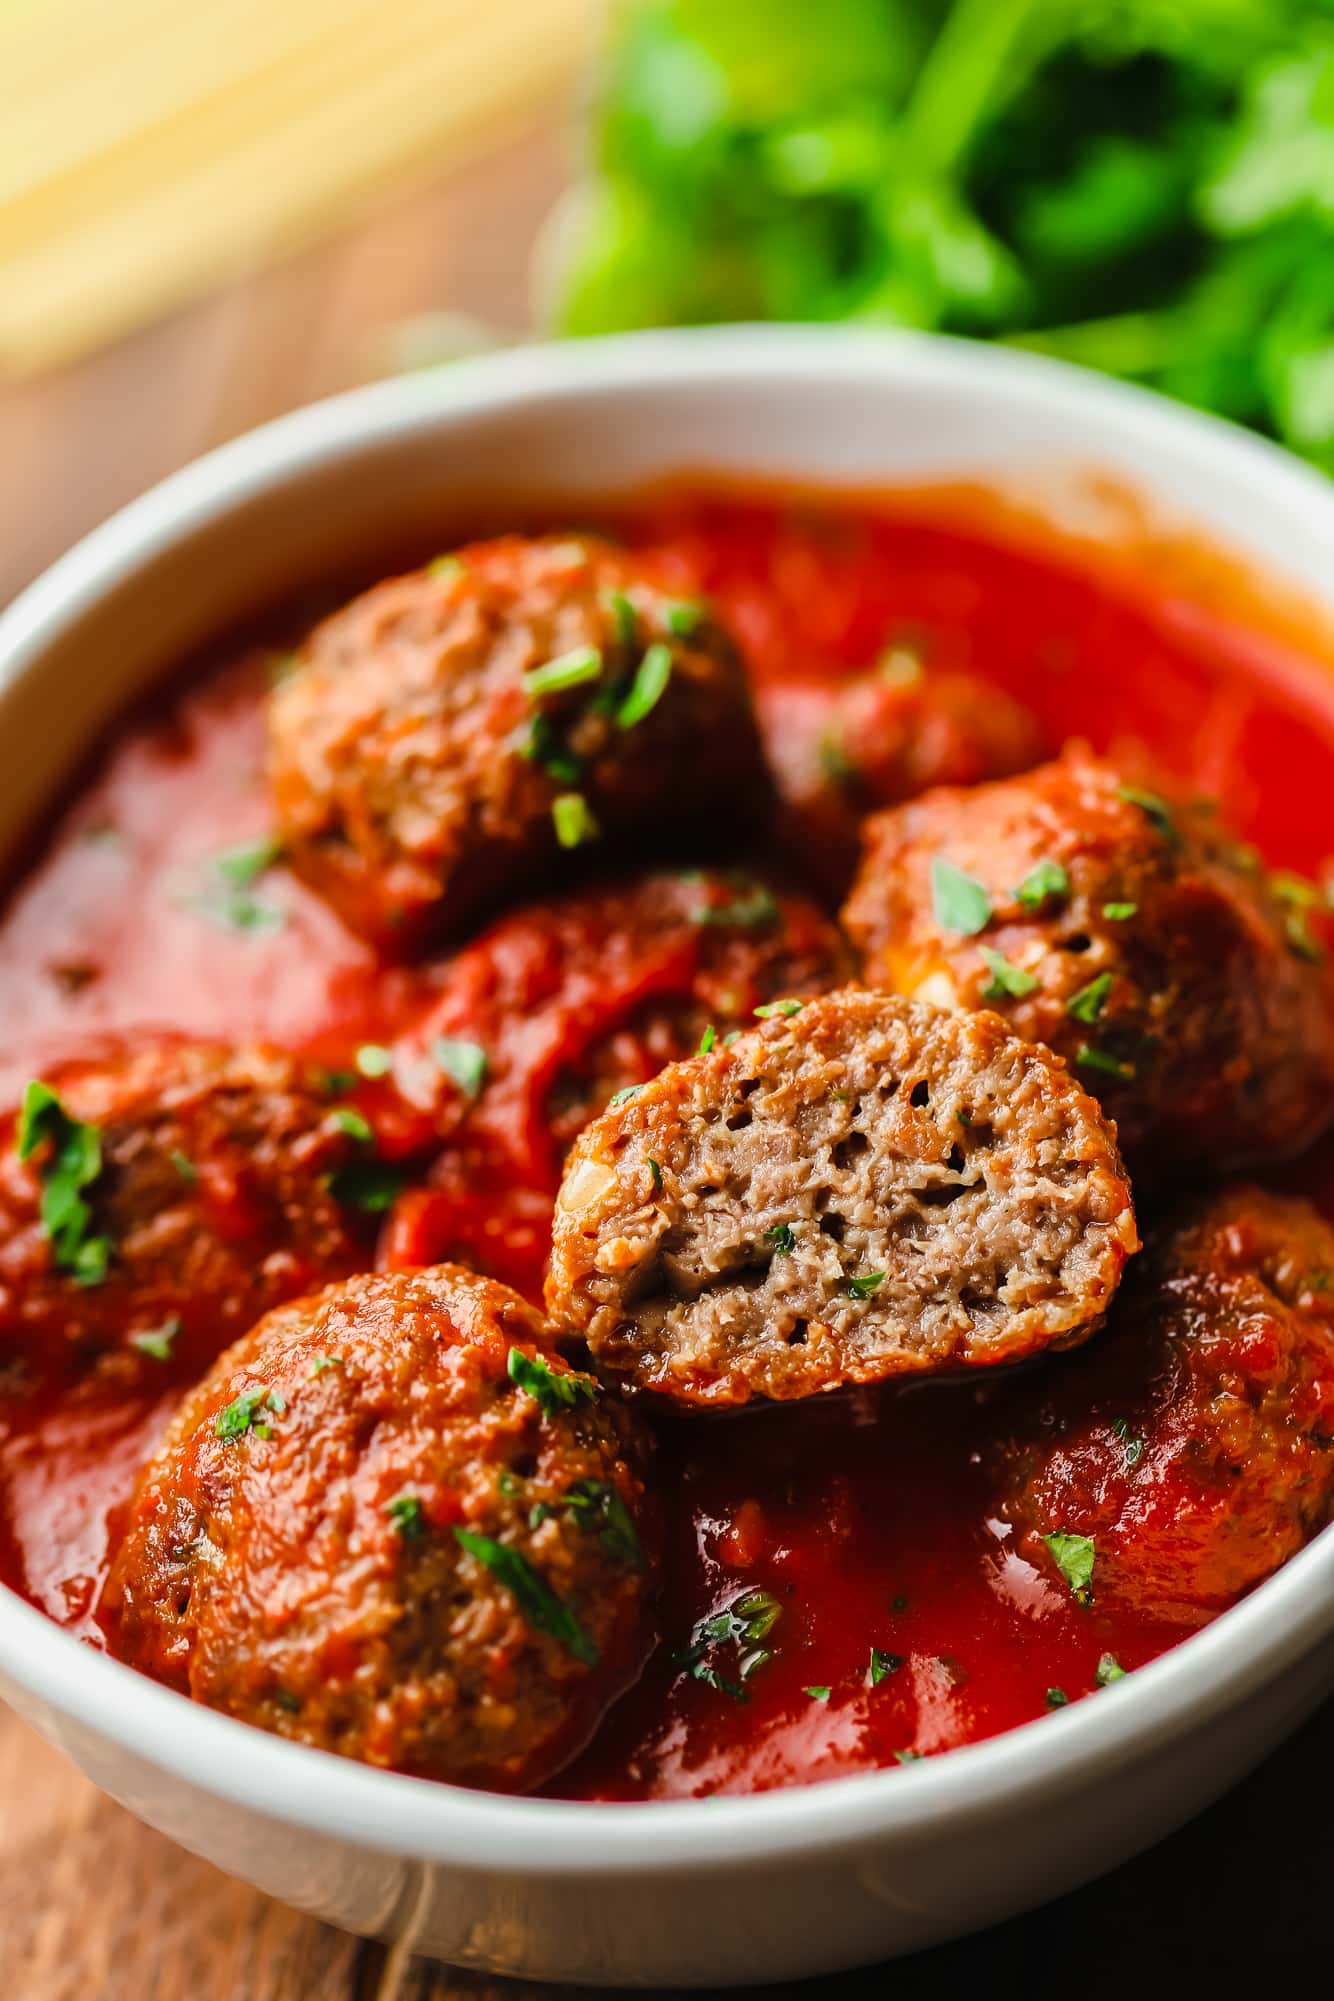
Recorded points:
(557, 1010)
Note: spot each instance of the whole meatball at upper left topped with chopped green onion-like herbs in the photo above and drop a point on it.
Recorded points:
(423, 773)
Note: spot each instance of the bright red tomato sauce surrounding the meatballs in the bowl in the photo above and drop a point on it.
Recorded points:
(899, 1620)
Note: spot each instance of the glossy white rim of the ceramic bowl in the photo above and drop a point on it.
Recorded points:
(1021, 1770)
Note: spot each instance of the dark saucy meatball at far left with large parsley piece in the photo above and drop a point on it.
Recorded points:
(209, 1184)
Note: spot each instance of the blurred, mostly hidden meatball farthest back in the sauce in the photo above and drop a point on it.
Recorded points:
(875, 741)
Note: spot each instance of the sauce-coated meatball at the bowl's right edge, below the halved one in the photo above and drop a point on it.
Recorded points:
(1193, 1442)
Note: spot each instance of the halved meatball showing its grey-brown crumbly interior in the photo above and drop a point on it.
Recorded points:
(853, 1192)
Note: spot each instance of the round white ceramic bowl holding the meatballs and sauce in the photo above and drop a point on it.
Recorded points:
(685, 1894)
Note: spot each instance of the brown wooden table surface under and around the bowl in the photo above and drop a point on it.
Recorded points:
(97, 1908)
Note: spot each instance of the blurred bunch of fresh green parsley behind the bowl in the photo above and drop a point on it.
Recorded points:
(1139, 185)
